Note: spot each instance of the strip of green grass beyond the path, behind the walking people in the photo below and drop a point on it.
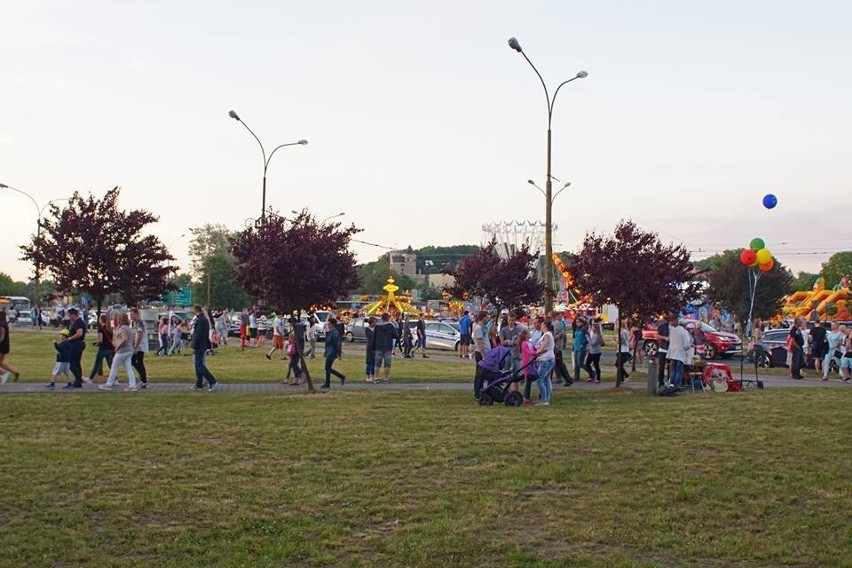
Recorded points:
(33, 356)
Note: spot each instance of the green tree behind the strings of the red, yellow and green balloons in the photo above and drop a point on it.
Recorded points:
(728, 285)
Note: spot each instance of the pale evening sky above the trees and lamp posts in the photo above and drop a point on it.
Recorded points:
(423, 124)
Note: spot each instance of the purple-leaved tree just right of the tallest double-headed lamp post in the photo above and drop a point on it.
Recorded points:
(635, 271)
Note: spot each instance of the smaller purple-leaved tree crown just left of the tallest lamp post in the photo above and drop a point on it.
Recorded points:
(509, 283)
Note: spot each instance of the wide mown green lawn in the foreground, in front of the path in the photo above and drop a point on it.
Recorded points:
(426, 479)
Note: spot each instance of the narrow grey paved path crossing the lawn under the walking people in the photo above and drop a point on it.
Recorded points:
(355, 386)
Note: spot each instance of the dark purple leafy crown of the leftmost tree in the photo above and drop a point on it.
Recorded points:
(93, 247)
